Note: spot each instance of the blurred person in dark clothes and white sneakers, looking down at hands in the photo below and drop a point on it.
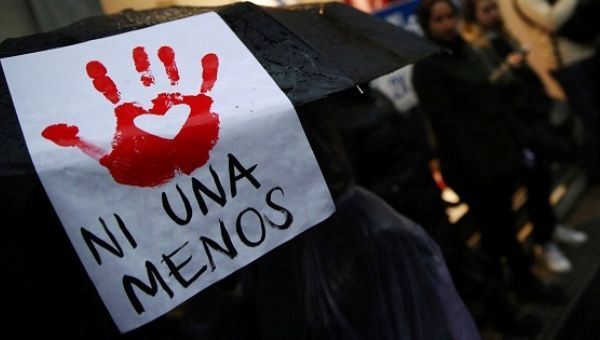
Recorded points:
(483, 28)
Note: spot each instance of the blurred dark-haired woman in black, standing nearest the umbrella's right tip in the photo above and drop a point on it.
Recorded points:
(479, 154)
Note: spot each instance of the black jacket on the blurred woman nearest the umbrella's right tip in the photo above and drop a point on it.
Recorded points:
(470, 120)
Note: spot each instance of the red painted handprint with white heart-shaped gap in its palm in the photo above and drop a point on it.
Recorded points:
(137, 157)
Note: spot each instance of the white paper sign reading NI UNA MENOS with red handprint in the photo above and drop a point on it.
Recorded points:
(170, 156)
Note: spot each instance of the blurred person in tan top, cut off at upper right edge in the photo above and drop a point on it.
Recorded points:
(574, 65)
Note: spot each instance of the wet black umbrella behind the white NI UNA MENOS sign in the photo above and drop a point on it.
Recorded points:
(311, 51)
